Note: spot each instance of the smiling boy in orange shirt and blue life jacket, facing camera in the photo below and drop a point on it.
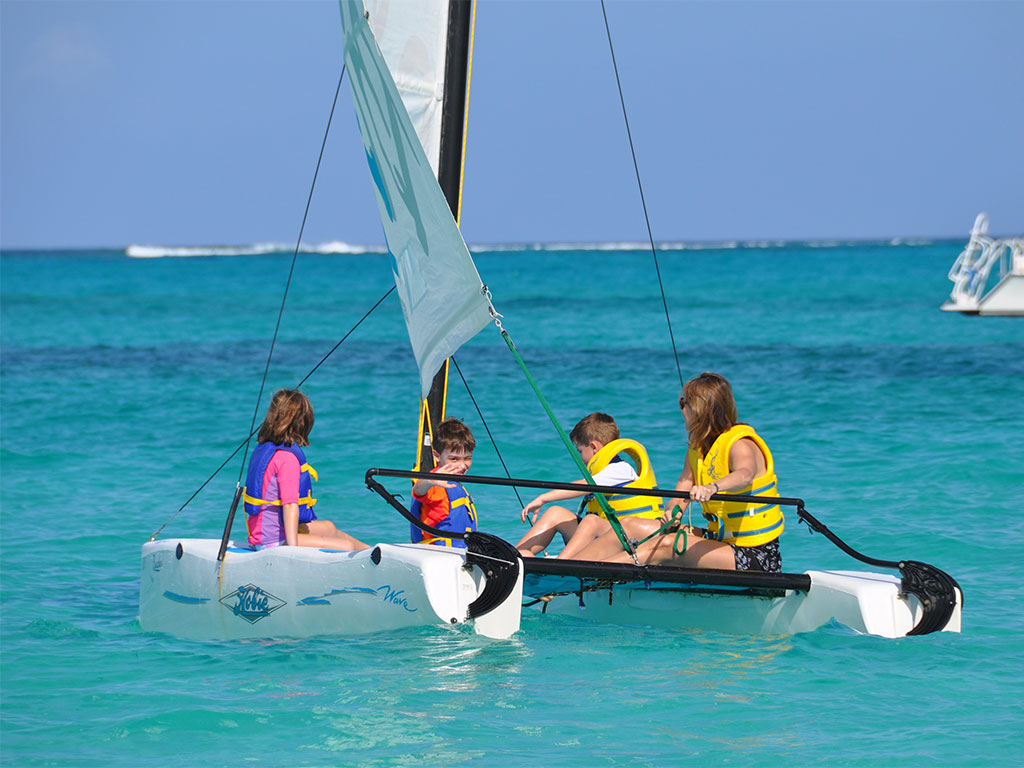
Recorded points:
(446, 505)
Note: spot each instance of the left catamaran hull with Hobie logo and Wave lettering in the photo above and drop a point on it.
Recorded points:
(302, 592)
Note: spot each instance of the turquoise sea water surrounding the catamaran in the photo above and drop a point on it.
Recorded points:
(127, 382)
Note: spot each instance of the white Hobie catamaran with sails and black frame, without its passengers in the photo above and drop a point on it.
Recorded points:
(408, 70)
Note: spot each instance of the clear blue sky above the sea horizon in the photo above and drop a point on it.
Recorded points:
(196, 123)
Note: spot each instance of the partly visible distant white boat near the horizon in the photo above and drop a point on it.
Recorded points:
(971, 271)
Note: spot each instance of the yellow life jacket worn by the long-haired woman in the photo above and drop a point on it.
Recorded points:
(740, 524)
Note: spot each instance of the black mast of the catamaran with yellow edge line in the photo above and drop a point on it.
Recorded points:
(460, 31)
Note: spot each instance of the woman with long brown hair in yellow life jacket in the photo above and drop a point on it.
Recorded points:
(723, 456)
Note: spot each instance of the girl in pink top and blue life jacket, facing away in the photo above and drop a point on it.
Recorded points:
(279, 500)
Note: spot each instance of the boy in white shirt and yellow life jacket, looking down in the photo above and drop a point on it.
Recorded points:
(596, 439)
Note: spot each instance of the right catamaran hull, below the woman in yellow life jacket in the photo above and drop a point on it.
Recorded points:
(870, 604)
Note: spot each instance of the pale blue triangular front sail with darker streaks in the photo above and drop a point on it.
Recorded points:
(443, 297)
